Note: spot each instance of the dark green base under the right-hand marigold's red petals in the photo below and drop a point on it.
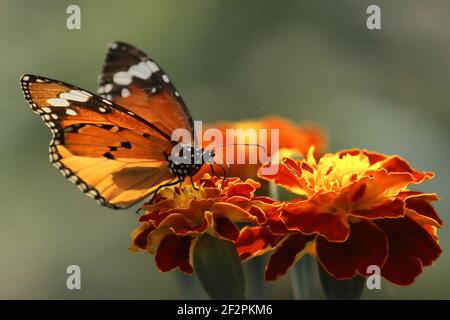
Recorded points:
(334, 289)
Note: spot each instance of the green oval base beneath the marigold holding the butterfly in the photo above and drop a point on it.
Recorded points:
(219, 268)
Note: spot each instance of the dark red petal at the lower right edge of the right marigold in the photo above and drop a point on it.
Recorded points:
(410, 248)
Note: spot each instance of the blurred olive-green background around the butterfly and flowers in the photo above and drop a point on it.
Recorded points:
(385, 90)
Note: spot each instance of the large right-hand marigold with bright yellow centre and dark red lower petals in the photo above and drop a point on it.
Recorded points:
(357, 212)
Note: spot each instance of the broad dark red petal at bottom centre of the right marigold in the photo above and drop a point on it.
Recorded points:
(366, 245)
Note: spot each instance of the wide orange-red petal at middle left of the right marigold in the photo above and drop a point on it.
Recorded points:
(303, 216)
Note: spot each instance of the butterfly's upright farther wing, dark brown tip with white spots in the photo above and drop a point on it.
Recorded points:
(133, 80)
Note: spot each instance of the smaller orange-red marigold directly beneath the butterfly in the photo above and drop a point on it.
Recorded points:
(177, 217)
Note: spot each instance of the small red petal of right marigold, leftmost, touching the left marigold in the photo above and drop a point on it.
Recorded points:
(254, 241)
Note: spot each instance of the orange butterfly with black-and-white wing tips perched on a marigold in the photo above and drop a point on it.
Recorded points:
(116, 145)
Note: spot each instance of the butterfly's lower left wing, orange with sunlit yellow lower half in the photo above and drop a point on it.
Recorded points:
(109, 152)
